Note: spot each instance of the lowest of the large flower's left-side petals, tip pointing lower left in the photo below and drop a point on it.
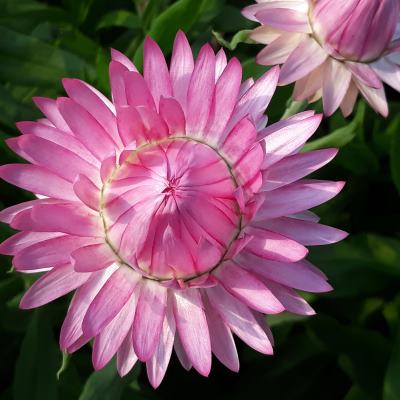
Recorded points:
(52, 285)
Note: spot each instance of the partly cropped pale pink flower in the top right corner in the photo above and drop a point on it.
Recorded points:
(332, 49)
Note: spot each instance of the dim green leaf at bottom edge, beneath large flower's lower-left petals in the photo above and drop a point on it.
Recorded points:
(106, 384)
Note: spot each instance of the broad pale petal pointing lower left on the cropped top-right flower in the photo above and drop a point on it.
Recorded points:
(307, 56)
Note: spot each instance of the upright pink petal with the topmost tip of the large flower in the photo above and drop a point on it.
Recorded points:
(181, 69)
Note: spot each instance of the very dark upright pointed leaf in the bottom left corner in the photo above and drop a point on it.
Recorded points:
(38, 361)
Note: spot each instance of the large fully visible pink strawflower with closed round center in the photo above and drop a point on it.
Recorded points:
(176, 217)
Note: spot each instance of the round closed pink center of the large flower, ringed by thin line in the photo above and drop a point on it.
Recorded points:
(170, 210)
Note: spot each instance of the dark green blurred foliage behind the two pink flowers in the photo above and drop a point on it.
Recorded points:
(350, 350)
